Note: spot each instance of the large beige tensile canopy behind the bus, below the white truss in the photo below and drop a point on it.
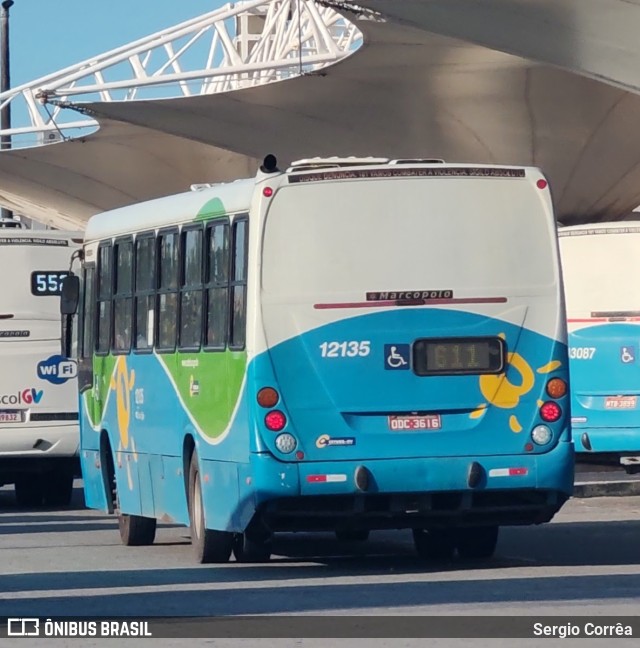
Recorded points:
(407, 92)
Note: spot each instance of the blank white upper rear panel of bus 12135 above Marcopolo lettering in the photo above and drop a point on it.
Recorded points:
(472, 237)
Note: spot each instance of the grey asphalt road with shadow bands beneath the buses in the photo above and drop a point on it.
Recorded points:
(58, 563)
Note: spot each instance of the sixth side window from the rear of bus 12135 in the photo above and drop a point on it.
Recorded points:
(123, 296)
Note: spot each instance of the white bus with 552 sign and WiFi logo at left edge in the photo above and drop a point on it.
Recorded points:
(38, 392)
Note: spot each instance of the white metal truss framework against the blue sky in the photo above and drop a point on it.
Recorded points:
(237, 46)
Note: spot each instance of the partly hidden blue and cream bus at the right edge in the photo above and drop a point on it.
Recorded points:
(603, 310)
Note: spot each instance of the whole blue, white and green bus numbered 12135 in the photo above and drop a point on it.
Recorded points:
(352, 344)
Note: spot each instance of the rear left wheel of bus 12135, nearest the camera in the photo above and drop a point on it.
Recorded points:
(210, 546)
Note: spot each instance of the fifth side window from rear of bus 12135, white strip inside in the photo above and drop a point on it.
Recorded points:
(145, 286)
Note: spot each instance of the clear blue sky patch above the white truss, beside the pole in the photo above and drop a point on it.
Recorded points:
(48, 35)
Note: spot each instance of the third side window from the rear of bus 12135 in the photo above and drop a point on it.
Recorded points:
(191, 289)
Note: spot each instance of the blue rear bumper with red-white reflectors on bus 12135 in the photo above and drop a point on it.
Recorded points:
(420, 492)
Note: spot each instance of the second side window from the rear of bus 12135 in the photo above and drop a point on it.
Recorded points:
(217, 282)
